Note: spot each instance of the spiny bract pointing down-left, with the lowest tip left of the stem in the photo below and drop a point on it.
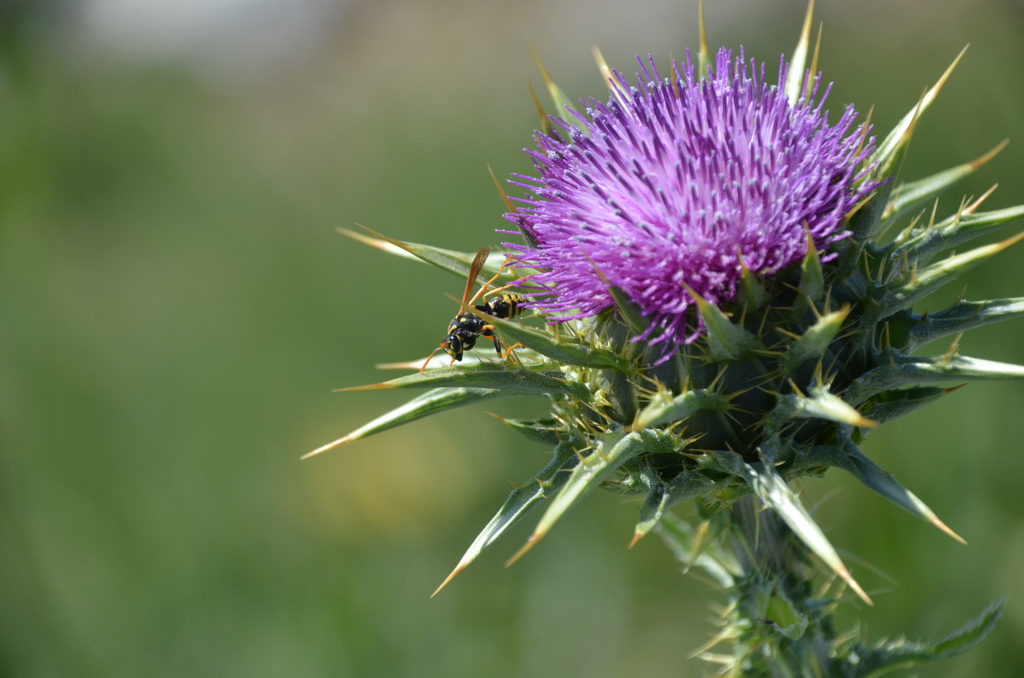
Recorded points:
(521, 502)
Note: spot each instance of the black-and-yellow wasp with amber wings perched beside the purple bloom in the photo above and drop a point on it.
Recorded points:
(467, 327)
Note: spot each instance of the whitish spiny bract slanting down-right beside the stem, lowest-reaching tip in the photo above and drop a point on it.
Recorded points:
(773, 490)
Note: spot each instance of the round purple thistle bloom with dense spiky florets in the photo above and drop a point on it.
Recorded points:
(680, 184)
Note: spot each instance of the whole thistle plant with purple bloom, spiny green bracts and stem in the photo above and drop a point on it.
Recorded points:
(728, 279)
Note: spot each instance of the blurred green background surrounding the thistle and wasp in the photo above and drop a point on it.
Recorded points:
(177, 308)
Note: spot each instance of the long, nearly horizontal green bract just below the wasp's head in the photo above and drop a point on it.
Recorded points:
(515, 382)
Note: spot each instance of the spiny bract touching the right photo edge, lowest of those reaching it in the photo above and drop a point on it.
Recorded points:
(913, 370)
